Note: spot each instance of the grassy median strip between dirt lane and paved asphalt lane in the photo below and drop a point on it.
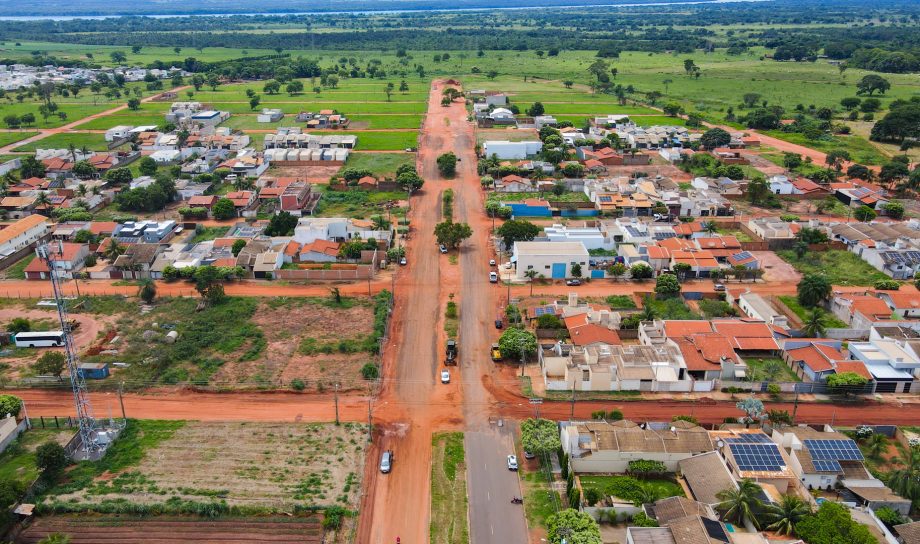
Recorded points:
(449, 524)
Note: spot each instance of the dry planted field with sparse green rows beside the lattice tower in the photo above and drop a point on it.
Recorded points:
(263, 467)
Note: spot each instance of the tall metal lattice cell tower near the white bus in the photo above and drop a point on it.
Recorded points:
(87, 423)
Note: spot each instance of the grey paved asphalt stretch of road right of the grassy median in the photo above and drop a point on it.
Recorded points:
(493, 518)
